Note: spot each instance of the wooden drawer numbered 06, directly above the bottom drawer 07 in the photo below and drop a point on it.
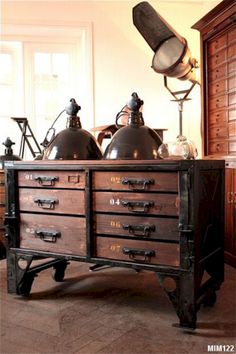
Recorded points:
(137, 226)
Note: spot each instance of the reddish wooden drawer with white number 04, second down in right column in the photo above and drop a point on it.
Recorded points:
(136, 203)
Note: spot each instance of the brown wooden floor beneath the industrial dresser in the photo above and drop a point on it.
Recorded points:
(114, 311)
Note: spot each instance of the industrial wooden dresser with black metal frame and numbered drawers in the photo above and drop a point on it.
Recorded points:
(162, 216)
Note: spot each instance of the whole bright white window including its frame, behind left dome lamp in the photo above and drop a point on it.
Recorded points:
(38, 76)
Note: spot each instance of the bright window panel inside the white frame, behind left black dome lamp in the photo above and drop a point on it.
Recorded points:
(49, 83)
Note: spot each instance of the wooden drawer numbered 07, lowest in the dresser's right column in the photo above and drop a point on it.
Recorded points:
(137, 251)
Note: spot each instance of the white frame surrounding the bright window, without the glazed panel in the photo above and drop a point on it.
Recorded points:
(80, 35)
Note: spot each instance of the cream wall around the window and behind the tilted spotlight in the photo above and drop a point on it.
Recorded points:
(122, 58)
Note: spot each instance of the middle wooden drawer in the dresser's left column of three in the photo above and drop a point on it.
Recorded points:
(52, 201)
